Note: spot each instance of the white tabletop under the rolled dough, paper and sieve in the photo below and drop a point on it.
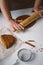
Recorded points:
(33, 33)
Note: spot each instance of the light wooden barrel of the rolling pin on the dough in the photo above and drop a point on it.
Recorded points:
(30, 19)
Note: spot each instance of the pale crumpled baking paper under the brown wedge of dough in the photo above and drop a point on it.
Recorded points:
(6, 52)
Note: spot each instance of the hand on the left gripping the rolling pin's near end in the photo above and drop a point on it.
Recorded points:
(15, 26)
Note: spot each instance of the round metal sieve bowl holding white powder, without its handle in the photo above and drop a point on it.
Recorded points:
(24, 54)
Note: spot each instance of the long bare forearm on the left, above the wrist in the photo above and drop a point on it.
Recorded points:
(5, 9)
